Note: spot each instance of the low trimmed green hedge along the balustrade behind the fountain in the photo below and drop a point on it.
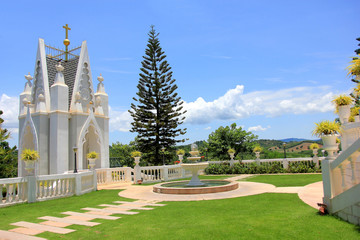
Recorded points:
(264, 168)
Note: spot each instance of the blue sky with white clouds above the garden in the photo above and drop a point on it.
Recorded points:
(271, 67)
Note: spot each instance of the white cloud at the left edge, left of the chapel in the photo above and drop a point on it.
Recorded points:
(10, 108)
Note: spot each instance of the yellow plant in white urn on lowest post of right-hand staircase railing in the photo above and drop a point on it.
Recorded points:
(327, 131)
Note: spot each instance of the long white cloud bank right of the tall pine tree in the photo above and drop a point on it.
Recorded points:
(234, 104)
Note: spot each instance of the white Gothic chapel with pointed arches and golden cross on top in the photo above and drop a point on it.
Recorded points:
(60, 112)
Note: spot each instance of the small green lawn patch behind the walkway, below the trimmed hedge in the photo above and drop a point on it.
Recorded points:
(292, 180)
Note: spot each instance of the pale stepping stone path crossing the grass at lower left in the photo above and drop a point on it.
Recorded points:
(27, 230)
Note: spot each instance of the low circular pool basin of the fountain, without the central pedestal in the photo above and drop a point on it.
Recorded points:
(181, 187)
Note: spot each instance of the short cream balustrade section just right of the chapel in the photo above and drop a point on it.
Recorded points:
(113, 175)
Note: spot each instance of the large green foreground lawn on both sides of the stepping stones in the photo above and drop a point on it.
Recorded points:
(264, 216)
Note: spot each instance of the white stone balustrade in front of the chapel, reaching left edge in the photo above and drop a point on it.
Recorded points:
(40, 188)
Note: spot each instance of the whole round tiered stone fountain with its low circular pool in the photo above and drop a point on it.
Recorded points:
(195, 186)
